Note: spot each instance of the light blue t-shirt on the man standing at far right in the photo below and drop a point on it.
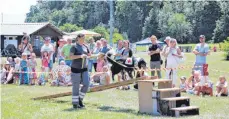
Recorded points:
(201, 49)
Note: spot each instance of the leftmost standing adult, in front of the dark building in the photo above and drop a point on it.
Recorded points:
(25, 46)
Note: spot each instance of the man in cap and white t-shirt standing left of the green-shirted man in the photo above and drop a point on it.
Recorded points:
(50, 49)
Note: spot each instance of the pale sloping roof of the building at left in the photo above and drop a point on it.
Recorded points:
(29, 28)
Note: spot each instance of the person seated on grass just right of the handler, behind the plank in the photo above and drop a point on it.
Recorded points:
(103, 78)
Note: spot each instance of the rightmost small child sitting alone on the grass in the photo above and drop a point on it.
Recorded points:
(221, 87)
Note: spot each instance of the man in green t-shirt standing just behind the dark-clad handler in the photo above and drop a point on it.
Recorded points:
(66, 52)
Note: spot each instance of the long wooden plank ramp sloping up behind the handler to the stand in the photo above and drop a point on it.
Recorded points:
(93, 89)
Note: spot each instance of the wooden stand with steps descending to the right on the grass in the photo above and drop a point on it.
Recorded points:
(163, 100)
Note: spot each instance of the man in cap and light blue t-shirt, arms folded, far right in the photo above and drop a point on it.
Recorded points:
(201, 51)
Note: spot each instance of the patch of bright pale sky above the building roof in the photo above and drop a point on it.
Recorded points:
(14, 11)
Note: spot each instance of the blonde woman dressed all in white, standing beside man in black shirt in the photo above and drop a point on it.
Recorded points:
(174, 56)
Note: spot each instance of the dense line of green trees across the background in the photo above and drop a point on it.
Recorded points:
(136, 20)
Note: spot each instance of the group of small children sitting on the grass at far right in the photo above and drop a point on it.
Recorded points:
(198, 84)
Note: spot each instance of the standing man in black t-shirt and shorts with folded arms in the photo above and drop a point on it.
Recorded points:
(155, 57)
